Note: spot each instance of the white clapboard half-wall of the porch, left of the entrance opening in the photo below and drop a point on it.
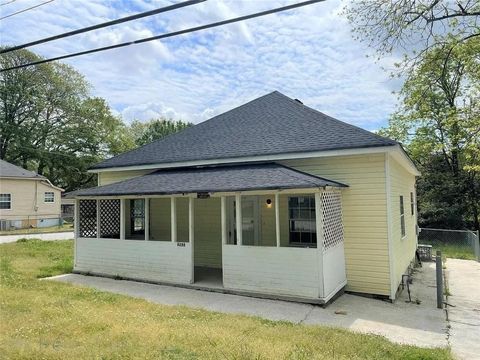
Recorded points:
(147, 260)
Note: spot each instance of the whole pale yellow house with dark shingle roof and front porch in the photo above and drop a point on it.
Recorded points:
(272, 198)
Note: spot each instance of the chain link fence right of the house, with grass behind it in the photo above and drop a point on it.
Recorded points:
(459, 244)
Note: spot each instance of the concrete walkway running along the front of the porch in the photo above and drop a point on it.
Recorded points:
(410, 323)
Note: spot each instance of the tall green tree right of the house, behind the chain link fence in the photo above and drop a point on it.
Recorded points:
(439, 122)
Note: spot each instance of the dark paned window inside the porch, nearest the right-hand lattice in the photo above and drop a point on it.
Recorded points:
(301, 212)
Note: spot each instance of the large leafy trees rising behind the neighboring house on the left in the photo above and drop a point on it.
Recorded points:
(50, 124)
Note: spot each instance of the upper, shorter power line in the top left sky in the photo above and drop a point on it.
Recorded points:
(105, 24)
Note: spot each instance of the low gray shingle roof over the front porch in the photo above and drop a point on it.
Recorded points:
(211, 179)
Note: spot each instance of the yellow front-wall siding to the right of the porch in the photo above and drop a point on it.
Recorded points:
(364, 216)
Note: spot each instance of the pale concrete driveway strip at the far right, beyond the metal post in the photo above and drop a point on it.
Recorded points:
(464, 314)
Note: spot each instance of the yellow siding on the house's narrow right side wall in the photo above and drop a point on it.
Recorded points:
(402, 183)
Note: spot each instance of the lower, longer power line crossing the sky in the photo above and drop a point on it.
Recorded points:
(168, 35)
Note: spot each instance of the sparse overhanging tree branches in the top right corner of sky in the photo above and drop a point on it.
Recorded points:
(413, 25)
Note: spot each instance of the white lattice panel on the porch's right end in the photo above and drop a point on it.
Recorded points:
(332, 219)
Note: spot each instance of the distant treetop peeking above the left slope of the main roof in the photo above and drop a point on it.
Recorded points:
(155, 129)
